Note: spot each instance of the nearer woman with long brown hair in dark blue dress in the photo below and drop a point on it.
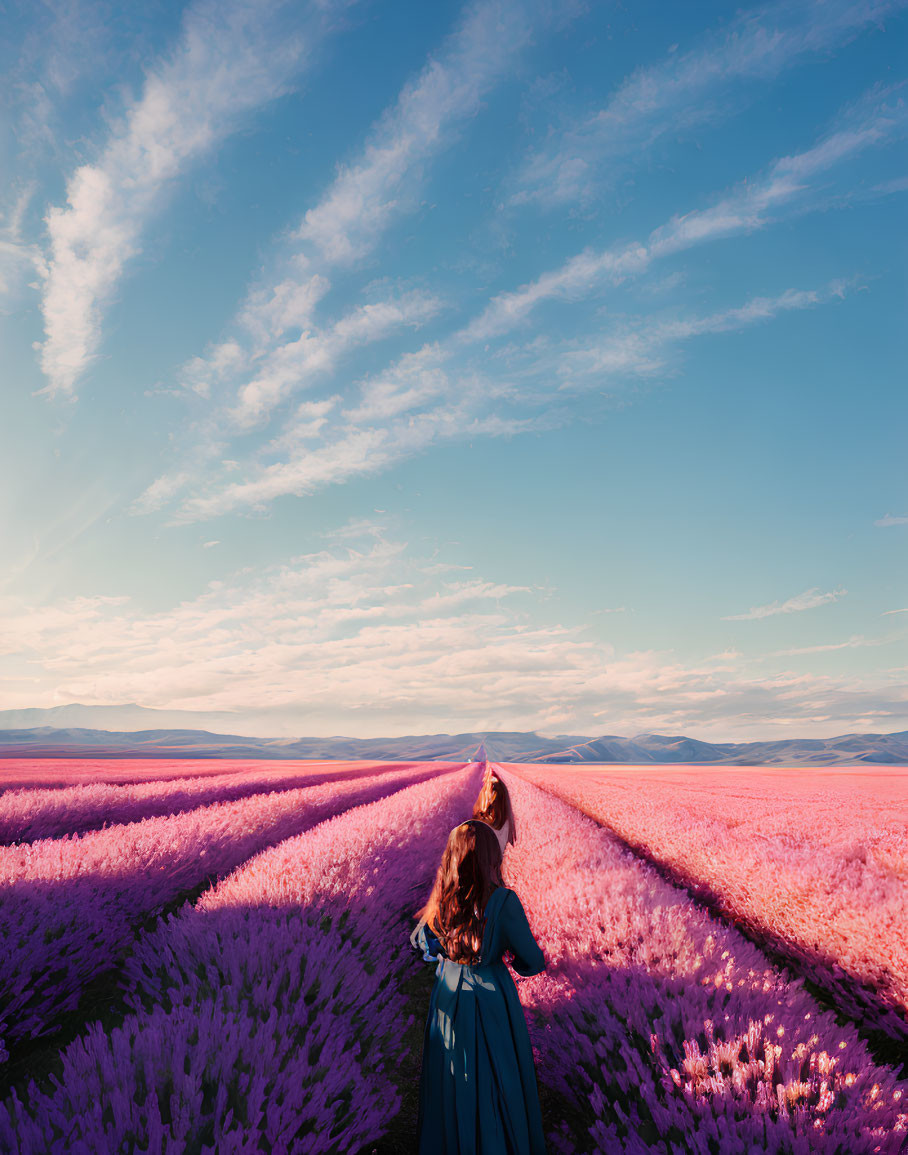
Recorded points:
(478, 1093)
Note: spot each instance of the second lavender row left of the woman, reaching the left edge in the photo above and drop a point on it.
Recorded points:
(69, 907)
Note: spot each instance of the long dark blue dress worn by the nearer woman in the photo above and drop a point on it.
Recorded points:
(478, 1093)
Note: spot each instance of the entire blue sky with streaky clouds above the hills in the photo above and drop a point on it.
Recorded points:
(388, 369)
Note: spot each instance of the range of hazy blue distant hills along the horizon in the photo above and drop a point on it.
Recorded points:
(78, 742)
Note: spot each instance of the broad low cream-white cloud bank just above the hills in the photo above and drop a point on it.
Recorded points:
(368, 638)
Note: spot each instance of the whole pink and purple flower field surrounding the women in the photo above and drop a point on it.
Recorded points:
(213, 957)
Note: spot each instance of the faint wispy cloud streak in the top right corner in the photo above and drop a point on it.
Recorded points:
(687, 90)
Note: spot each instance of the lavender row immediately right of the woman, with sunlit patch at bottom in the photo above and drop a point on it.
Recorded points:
(666, 1026)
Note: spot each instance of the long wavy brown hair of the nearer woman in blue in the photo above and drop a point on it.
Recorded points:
(471, 870)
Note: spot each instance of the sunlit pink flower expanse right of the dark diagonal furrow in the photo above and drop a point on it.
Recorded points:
(816, 865)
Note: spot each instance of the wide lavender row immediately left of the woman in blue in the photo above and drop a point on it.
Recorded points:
(270, 1017)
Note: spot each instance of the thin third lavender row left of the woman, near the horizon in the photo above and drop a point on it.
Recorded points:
(49, 814)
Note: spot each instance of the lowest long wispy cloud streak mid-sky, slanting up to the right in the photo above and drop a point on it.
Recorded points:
(422, 403)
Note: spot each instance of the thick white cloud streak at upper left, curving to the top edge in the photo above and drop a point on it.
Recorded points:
(230, 59)
